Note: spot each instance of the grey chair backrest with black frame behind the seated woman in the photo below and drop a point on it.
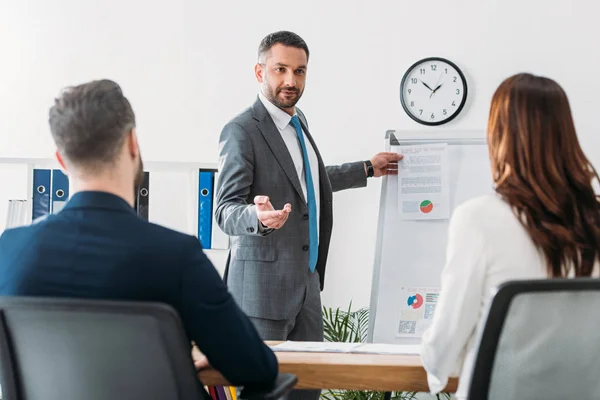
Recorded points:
(541, 340)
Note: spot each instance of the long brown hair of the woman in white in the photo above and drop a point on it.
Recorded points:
(540, 170)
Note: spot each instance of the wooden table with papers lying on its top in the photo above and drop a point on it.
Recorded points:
(347, 371)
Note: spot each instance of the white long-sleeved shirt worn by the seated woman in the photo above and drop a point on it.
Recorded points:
(486, 247)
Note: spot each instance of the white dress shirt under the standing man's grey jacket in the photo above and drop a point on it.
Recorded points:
(288, 133)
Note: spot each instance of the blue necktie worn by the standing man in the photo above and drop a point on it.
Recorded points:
(311, 201)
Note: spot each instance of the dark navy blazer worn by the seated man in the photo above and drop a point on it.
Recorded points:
(98, 248)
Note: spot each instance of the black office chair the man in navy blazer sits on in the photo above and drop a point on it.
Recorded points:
(73, 349)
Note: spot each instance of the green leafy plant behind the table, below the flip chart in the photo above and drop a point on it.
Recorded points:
(351, 326)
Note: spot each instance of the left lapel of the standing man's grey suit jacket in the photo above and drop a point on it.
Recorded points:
(267, 127)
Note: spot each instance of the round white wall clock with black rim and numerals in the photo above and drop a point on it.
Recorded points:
(433, 91)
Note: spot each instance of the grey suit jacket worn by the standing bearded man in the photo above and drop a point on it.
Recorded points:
(267, 271)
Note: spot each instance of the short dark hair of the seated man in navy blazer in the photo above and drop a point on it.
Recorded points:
(89, 122)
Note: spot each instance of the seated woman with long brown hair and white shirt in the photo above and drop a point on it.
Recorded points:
(542, 222)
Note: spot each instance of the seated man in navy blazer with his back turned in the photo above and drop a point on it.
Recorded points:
(98, 248)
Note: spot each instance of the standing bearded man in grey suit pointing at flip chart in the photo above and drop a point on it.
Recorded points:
(268, 159)
